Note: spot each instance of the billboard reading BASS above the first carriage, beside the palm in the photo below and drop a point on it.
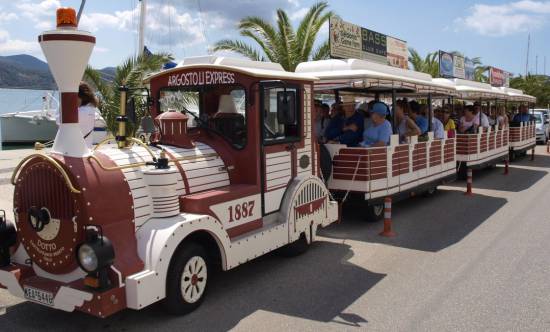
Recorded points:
(348, 40)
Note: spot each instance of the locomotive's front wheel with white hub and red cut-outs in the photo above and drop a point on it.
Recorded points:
(187, 279)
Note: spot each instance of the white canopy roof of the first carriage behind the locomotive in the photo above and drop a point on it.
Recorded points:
(374, 77)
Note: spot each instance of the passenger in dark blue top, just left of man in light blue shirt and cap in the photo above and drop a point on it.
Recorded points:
(346, 129)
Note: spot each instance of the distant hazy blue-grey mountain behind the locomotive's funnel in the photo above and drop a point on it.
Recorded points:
(27, 72)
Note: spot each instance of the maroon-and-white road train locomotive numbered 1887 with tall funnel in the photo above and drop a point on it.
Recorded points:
(231, 174)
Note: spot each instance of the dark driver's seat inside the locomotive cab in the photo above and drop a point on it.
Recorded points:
(229, 122)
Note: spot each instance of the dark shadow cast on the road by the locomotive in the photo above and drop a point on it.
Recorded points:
(318, 285)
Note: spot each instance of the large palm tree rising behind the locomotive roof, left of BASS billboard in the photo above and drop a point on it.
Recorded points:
(281, 43)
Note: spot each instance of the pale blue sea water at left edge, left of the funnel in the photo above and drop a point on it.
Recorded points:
(21, 100)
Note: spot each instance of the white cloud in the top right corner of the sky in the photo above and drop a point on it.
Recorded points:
(505, 19)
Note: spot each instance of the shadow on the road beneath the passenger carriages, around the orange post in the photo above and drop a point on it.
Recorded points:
(419, 225)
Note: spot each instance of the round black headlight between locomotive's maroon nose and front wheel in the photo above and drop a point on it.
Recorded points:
(96, 253)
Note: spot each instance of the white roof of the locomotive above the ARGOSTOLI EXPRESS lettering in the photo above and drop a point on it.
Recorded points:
(258, 69)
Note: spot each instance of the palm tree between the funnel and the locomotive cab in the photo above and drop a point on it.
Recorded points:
(131, 74)
